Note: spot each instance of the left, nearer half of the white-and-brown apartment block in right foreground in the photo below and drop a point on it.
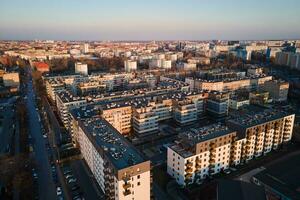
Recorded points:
(199, 153)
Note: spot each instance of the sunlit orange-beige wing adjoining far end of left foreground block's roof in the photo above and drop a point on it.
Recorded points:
(119, 115)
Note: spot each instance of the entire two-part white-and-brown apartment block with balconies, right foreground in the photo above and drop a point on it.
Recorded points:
(200, 152)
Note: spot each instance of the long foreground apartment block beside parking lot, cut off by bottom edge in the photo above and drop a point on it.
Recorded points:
(119, 169)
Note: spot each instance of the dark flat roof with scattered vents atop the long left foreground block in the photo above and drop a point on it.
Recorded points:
(117, 149)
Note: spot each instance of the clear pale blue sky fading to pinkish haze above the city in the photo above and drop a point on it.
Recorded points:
(149, 19)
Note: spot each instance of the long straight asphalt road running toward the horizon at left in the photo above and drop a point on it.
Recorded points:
(45, 183)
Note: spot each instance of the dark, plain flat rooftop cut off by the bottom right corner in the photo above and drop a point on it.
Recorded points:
(283, 176)
